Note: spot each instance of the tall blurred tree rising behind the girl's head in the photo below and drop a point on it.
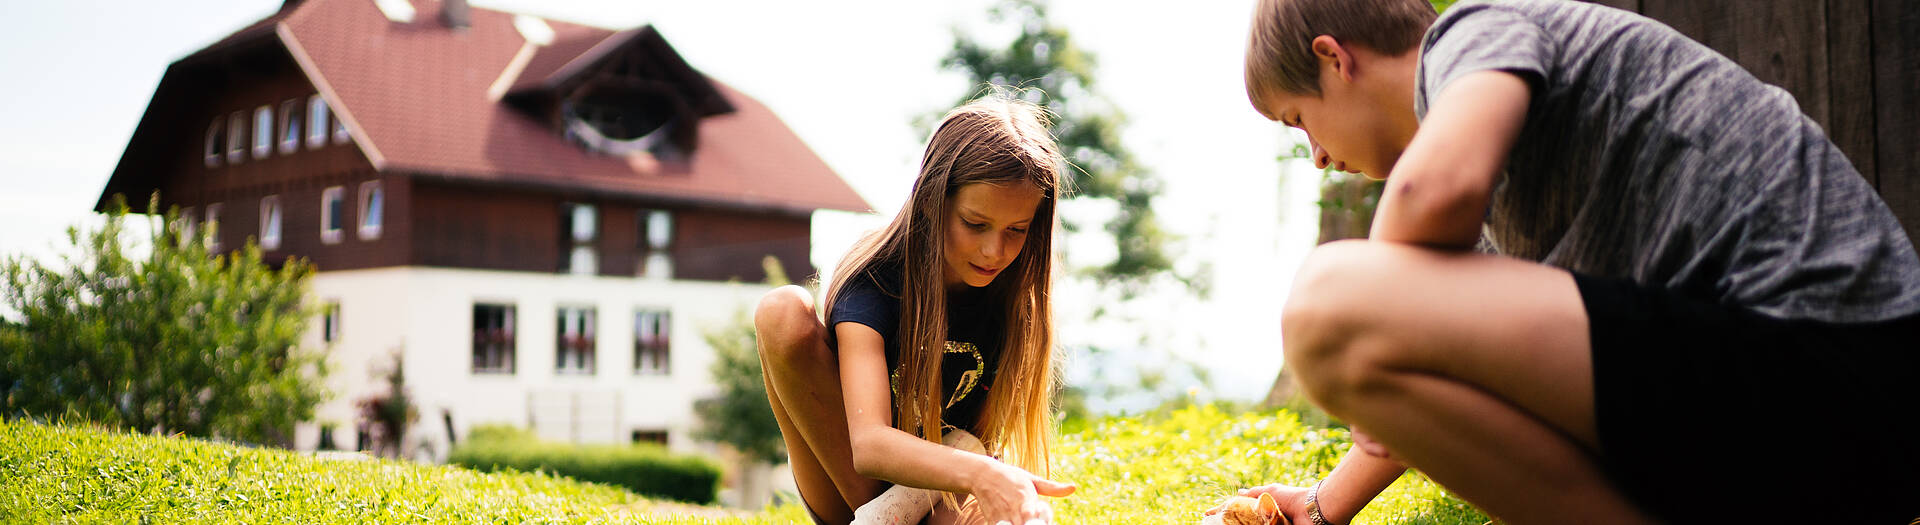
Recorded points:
(1047, 68)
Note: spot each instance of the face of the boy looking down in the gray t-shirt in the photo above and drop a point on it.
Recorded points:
(1353, 124)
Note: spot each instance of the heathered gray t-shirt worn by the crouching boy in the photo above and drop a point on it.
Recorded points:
(1654, 159)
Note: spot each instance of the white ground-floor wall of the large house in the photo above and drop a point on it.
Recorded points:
(427, 312)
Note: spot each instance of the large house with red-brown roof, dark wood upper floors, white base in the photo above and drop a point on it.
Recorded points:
(542, 218)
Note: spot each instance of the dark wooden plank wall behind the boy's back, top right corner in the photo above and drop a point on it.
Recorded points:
(1852, 64)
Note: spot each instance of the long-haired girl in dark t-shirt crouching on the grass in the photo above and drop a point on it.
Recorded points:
(938, 322)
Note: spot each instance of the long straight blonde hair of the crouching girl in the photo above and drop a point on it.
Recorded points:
(990, 141)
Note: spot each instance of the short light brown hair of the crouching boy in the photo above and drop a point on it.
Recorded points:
(1280, 53)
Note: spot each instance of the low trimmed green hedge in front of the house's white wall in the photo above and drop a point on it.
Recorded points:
(642, 468)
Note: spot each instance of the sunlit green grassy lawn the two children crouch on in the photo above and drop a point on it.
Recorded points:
(1147, 470)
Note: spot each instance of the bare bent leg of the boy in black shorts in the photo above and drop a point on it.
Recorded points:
(1476, 370)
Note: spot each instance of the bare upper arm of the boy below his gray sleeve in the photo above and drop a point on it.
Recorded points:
(1443, 184)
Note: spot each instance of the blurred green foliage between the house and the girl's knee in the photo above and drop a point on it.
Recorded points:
(740, 416)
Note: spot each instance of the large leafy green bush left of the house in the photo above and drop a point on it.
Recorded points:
(178, 343)
